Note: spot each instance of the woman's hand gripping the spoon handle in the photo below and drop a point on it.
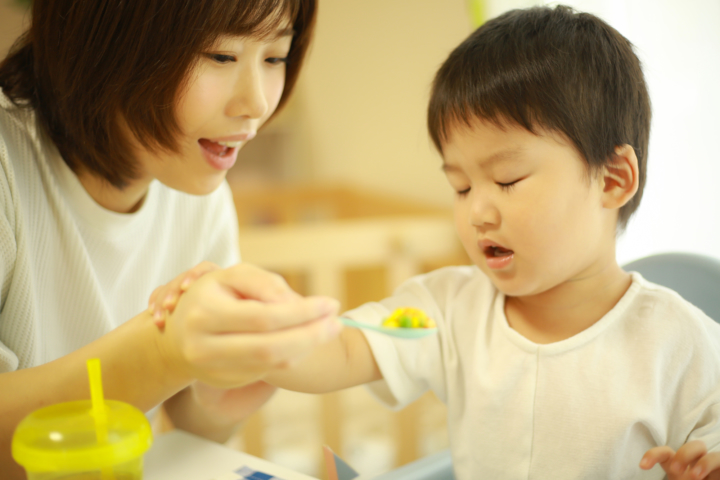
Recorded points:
(232, 326)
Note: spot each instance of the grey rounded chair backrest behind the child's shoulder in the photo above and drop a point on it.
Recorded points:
(695, 277)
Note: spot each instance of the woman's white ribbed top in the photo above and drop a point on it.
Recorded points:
(72, 271)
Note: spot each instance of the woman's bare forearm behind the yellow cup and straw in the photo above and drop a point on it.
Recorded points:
(134, 370)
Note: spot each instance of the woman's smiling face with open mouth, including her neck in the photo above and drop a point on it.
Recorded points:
(234, 89)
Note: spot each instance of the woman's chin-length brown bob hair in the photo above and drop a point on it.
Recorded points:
(85, 64)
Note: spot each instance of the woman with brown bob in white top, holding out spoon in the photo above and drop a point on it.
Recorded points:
(118, 123)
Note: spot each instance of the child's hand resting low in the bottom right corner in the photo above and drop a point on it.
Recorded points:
(690, 462)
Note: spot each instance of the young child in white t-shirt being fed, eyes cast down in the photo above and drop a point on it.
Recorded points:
(553, 361)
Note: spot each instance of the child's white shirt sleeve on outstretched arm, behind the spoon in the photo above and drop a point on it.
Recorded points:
(409, 367)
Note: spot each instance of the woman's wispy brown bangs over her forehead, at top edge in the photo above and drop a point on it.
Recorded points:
(259, 18)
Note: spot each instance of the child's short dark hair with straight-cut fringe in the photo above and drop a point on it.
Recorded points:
(552, 68)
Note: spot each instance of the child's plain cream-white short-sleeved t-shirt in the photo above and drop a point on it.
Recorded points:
(646, 374)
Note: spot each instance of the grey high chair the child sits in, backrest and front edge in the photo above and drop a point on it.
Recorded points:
(695, 277)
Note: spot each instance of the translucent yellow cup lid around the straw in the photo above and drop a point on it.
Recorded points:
(63, 437)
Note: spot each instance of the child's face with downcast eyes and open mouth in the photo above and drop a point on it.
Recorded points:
(526, 209)
